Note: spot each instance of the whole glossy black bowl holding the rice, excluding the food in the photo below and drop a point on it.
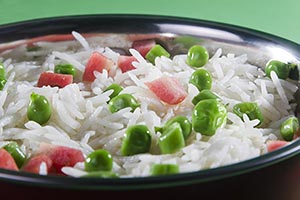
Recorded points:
(274, 175)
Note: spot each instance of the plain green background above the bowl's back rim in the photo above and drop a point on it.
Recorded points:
(278, 17)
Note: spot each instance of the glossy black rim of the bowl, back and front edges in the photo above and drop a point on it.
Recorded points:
(181, 179)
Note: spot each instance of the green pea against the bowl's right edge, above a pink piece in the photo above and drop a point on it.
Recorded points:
(288, 128)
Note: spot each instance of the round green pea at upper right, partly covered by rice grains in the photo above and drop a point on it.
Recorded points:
(281, 69)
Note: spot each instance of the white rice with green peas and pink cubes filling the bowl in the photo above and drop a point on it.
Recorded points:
(84, 110)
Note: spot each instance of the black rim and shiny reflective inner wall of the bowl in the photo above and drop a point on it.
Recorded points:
(176, 34)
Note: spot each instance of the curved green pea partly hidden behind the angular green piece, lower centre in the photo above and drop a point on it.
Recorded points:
(185, 125)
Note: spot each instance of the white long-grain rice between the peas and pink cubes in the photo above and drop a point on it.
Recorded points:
(81, 118)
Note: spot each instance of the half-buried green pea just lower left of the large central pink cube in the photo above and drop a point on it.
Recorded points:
(122, 101)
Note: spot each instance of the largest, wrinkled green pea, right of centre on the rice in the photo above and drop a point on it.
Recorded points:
(208, 115)
